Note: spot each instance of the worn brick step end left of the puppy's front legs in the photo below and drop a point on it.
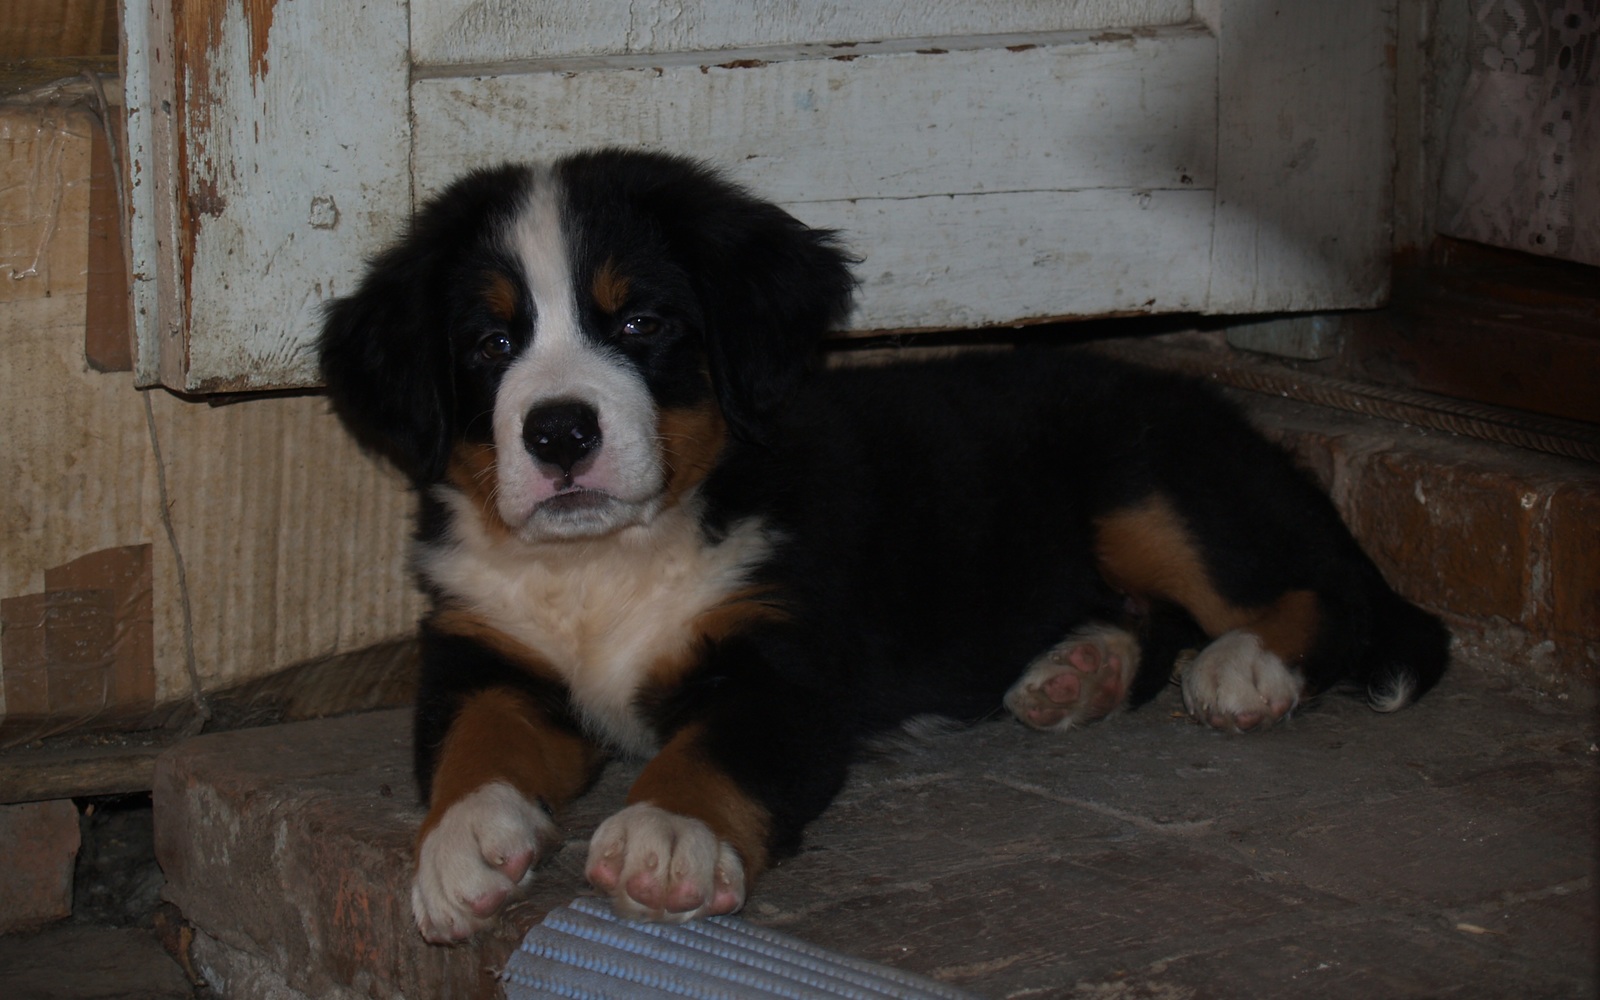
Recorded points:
(290, 849)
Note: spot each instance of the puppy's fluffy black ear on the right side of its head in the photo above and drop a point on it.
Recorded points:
(769, 286)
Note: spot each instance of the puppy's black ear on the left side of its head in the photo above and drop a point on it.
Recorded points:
(385, 361)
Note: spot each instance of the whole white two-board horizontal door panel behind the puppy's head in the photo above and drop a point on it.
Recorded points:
(982, 185)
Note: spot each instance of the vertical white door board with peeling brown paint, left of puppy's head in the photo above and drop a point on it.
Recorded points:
(279, 142)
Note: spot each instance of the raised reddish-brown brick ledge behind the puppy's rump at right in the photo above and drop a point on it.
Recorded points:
(1503, 543)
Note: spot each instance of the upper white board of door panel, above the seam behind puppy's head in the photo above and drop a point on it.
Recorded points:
(1062, 113)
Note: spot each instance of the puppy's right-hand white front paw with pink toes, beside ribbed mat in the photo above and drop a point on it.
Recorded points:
(665, 866)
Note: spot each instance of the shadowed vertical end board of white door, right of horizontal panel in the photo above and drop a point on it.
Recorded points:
(1305, 156)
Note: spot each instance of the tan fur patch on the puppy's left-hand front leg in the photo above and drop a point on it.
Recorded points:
(503, 735)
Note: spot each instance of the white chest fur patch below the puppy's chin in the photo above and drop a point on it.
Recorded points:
(602, 612)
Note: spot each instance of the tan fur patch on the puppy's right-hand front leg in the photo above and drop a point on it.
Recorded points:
(682, 780)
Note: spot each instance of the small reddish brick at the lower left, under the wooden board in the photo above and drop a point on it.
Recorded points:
(36, 878)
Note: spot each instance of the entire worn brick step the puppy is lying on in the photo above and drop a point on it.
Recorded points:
(1346, 855)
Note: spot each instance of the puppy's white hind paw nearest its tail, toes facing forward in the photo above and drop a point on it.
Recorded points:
(1238, 686)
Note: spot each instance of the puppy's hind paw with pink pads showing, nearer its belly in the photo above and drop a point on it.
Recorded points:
(1082, 679)
